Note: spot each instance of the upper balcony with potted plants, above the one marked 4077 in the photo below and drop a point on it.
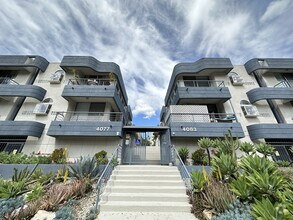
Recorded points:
(95, 89)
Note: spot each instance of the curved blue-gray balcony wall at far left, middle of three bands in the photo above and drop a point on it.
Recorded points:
(23, 91)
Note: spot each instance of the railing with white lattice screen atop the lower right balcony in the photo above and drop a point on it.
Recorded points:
(200, 117)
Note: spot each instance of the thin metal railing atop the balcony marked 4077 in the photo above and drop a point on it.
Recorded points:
(89, 116)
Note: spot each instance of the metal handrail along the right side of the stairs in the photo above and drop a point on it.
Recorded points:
(182, 168)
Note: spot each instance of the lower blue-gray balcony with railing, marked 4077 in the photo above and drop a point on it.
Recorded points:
(87, 124)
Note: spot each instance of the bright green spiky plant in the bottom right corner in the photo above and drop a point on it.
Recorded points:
(266, 210)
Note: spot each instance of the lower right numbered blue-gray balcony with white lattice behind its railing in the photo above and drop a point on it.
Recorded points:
(203, 125)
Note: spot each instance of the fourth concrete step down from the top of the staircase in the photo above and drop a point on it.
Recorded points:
(145, 182)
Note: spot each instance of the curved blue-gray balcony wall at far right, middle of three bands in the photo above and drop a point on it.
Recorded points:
(263, 93)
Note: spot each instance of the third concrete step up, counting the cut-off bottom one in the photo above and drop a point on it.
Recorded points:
(159, 197)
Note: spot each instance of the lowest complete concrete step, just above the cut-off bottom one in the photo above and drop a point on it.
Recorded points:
(134, 206)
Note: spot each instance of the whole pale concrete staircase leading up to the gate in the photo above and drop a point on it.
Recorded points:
(148, 189)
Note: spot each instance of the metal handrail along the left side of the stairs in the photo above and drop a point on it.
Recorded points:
(105, 176)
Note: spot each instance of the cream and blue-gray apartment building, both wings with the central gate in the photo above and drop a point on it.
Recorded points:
(81, 104)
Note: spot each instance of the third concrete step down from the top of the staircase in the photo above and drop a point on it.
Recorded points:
(145, 177)
